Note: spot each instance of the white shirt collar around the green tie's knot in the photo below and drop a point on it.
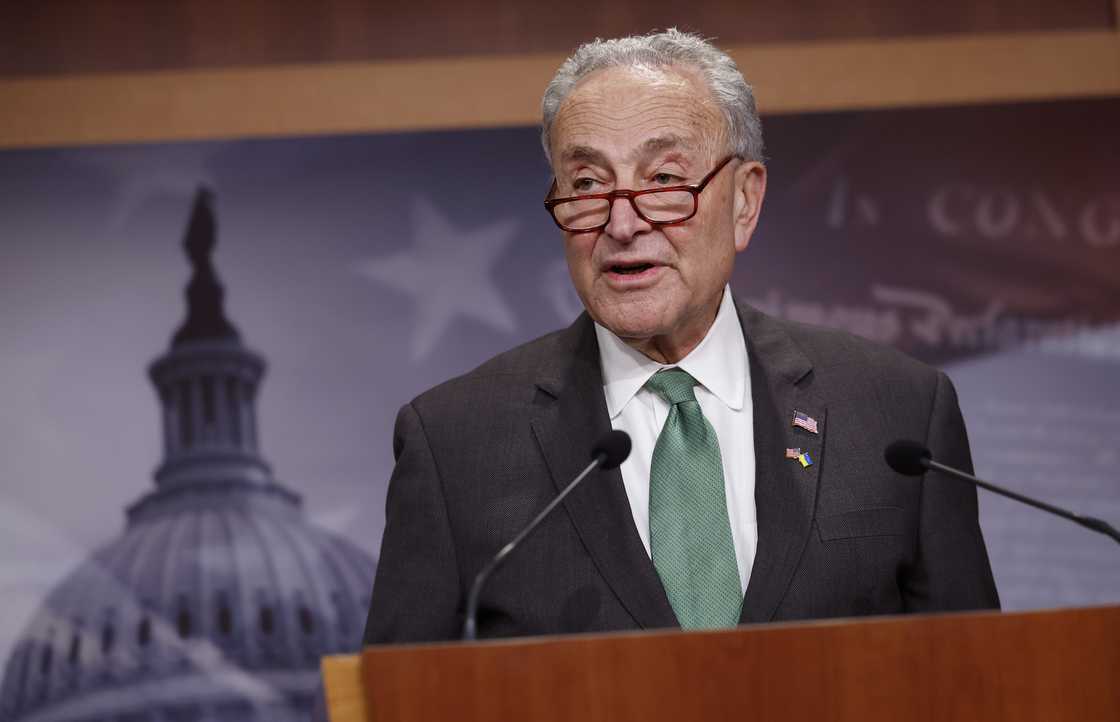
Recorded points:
(718, 363)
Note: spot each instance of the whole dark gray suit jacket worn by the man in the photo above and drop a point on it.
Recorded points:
(481, 455)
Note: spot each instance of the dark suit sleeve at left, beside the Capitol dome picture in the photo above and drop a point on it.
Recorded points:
(417, 590)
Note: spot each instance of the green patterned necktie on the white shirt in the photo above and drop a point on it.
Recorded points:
(690, 537)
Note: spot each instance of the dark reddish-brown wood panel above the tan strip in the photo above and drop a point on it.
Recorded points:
(100, 36)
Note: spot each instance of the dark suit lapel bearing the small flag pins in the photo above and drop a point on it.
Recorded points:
(786, 491)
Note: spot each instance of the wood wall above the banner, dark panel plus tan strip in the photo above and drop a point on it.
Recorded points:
(136, 71)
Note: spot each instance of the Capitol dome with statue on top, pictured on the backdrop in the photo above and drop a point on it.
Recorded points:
(220, 597)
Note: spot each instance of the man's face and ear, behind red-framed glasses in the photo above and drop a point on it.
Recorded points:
(643, 128)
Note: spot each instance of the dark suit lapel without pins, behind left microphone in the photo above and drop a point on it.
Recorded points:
(573, 415)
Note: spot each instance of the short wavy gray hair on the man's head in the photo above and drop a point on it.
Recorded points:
(729, 88)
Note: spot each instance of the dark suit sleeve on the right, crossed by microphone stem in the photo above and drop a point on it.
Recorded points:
(953, 571)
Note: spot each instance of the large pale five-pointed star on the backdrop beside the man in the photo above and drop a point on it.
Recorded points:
(447, 273)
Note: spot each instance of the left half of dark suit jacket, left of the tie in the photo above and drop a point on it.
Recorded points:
(479, 457)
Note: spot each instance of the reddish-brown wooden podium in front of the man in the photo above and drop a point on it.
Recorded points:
(1047, 667)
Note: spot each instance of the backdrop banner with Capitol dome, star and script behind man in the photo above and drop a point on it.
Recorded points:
(206, 345)
